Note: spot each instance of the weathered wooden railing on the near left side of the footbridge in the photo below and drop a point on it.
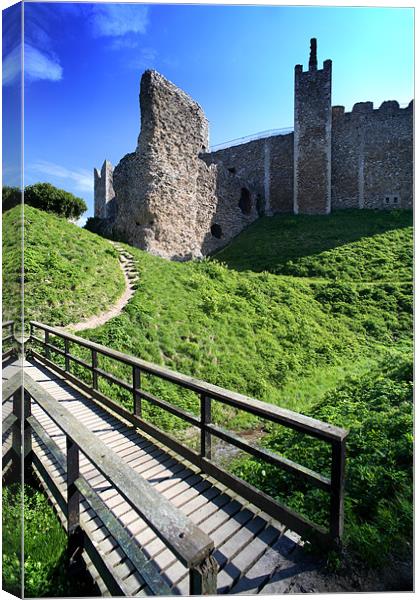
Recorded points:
(187, 542)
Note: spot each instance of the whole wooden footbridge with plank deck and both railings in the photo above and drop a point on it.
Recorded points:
(148, 514)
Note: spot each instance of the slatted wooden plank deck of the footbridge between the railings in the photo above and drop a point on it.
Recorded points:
(255, 554)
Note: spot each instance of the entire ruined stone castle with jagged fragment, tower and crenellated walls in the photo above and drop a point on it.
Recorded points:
(174, 198)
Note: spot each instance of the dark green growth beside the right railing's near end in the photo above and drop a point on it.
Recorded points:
(377, 410)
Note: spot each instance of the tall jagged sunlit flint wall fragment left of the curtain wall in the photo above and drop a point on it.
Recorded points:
(156, 186)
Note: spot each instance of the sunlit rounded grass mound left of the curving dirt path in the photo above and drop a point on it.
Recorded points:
(70, 273)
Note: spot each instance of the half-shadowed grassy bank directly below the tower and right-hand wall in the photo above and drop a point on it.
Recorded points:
(354, 245)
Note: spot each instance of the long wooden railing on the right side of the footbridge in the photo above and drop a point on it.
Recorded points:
(335, 437)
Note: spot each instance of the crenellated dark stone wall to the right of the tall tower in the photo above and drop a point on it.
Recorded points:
(372, 156)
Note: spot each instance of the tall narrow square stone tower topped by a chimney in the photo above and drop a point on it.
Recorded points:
(312, 137)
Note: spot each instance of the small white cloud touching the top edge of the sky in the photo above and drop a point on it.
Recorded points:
(118, 19)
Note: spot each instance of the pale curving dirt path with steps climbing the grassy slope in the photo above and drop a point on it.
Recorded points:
(131, 276)
